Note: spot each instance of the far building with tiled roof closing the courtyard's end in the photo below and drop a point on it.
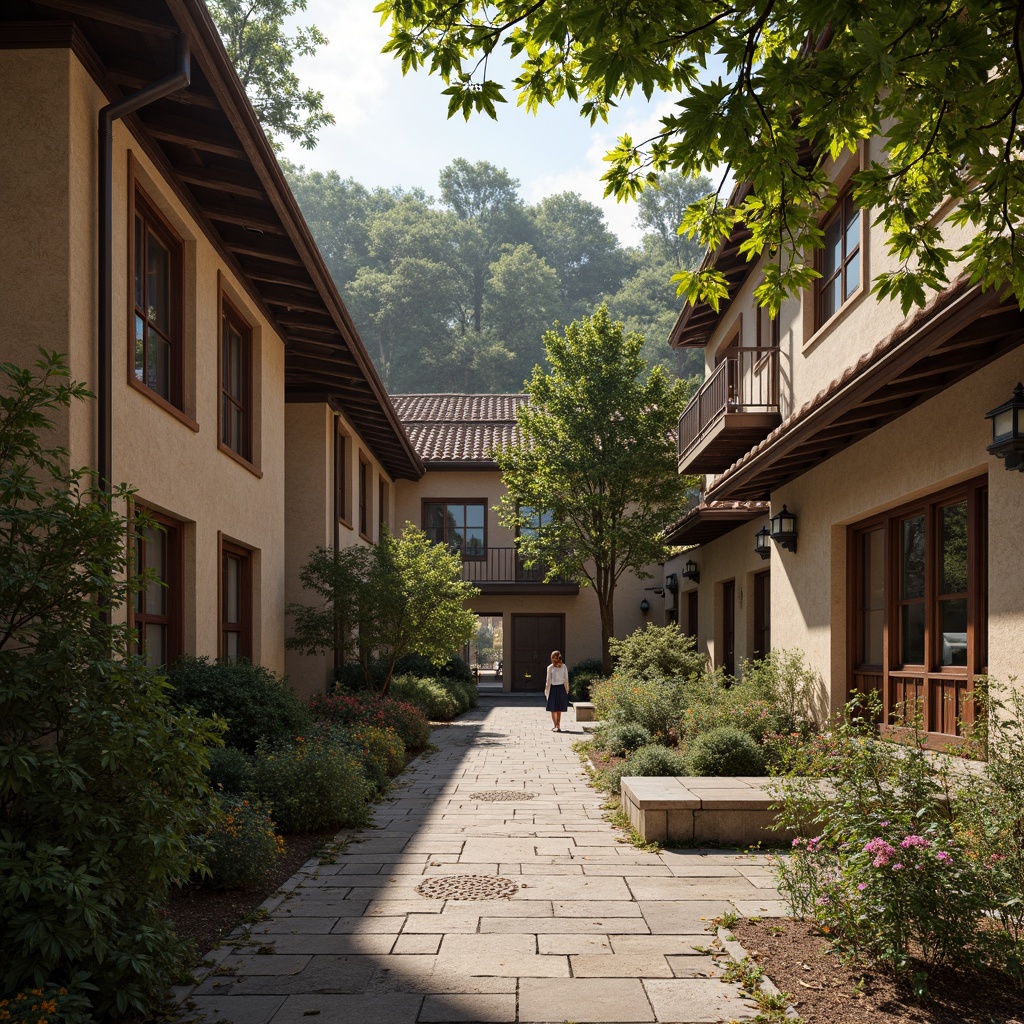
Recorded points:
(455, 503)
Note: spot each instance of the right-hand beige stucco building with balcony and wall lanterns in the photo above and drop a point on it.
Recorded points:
(900, 571)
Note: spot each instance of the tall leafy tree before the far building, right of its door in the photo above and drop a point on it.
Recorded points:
(593, 480)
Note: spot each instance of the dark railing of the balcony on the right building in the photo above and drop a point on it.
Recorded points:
(746, 381)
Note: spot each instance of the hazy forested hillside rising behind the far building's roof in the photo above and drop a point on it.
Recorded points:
(453, 293)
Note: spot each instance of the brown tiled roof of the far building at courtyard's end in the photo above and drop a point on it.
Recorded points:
(459, 428)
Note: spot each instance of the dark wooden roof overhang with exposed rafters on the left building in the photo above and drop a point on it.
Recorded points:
(210, 149)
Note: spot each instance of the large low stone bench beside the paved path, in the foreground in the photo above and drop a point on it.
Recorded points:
(692, 812)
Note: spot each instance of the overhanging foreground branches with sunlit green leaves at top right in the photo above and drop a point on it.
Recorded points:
(803, 81)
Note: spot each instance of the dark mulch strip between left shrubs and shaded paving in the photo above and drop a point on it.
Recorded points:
(206, 917)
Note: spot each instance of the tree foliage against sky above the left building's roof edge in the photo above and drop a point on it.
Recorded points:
(264, 56)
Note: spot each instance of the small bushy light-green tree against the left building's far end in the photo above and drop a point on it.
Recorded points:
(404, 596)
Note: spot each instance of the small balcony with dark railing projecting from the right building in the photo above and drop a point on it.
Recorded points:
(736, 408)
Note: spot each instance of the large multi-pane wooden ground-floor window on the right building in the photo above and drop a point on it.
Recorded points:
(918, 614)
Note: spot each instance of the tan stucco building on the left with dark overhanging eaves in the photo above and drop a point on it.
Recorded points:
(150, 236)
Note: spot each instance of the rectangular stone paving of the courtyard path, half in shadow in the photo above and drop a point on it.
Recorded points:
(595, 931)
